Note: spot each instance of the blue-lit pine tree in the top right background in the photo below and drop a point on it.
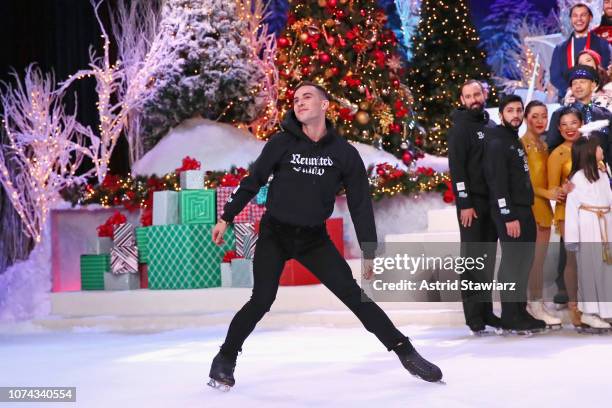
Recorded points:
(500, 34)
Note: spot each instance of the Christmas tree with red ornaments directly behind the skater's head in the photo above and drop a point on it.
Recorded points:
(345, 46)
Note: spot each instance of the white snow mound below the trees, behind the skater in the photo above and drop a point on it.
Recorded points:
(218, 146)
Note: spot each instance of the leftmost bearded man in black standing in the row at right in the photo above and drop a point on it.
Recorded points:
(466, 140)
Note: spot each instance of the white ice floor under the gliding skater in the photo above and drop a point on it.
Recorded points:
(305, 367)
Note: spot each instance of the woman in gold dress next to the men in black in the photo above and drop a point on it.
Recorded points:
(536, 116)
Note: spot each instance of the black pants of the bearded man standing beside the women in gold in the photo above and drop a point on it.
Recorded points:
(517, 255)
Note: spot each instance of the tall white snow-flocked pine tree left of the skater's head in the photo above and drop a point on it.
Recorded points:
(210, 71)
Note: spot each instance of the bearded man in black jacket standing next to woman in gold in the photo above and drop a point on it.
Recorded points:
(511, 198)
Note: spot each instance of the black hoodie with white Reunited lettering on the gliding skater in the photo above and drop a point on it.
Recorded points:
(307, 176)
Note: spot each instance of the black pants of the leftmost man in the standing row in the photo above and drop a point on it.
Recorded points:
(477, 240)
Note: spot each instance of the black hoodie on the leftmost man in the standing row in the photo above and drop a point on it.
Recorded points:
(465, 151)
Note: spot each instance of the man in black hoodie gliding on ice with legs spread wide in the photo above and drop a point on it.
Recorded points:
(309, 162)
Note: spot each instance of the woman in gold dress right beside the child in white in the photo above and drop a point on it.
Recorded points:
(559, 167)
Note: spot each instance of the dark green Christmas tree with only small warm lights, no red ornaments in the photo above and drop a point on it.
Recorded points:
(445, 55)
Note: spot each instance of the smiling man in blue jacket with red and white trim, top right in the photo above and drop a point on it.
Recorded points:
(565, 55)
